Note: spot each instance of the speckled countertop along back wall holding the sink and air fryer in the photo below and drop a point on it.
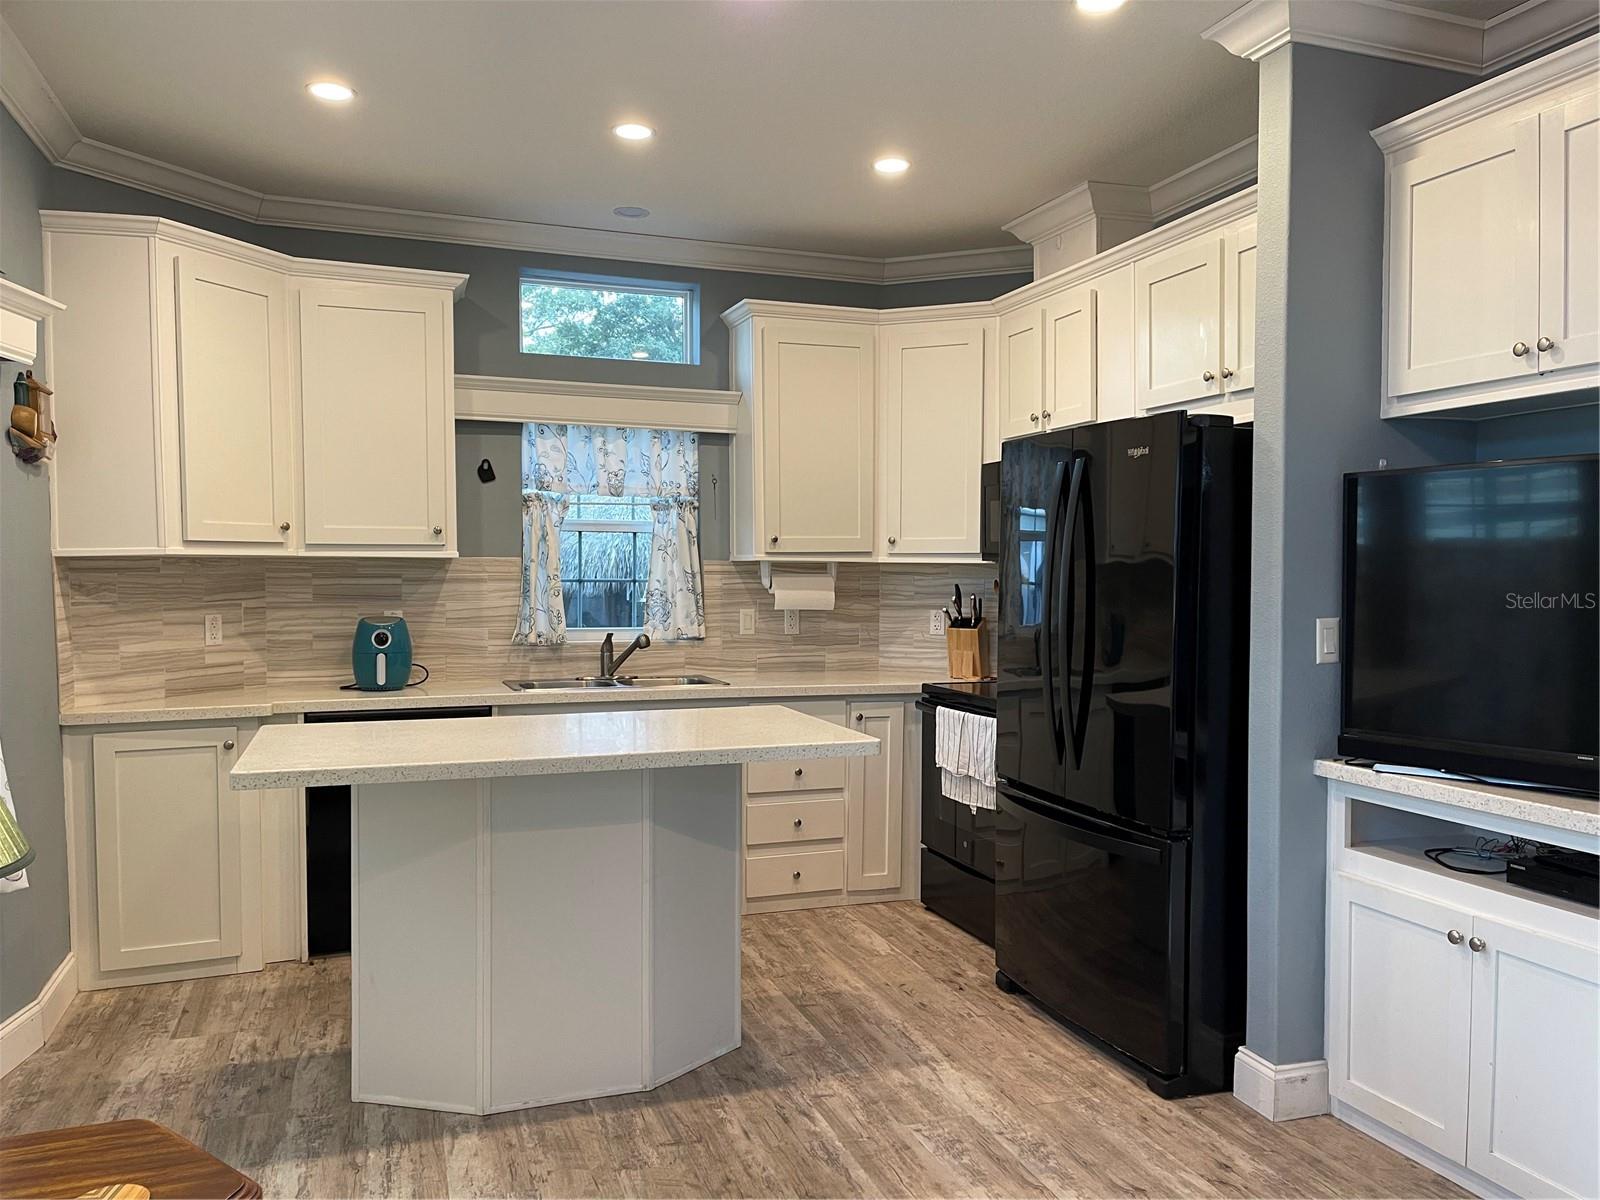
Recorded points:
(462, 694)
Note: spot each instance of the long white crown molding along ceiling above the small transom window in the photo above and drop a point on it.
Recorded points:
(36, 108)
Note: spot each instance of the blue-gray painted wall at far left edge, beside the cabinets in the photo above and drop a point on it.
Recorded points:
(34, 934)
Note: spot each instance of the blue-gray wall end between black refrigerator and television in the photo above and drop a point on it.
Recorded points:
(1319, 282)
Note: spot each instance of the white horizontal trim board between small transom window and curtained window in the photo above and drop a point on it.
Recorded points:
(497, 398)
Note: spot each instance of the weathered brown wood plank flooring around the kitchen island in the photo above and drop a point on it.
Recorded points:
(879, 1060)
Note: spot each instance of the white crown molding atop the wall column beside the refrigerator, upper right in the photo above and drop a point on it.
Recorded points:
(1398, 31)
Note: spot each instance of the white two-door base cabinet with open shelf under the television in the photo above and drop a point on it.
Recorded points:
(1463, 1014)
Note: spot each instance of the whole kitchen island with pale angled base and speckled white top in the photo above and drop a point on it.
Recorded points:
(543, 908)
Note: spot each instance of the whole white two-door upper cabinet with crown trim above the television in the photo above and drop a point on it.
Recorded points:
(1492, 294)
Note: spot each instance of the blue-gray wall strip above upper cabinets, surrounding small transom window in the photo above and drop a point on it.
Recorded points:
(487, 316)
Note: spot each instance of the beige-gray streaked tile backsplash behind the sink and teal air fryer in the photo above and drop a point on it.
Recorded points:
(134, 630)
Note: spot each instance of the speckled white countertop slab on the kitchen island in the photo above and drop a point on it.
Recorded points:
(554, 743)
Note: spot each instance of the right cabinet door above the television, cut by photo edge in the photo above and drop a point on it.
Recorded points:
(1570, 234)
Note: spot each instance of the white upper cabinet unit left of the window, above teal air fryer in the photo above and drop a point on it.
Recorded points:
(228, 399)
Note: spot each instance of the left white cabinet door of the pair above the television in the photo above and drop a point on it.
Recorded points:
(1463, 262)
